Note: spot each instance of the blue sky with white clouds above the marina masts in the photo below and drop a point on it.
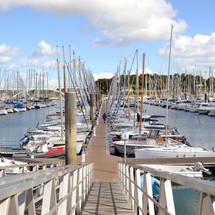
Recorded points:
(106, 34)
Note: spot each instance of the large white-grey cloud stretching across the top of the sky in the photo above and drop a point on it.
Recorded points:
(119, 22)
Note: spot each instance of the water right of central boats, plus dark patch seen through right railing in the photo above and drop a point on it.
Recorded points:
(199, 131)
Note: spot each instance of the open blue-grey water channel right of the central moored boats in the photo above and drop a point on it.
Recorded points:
(197, 128)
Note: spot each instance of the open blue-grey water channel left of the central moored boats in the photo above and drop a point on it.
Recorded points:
(13, 126)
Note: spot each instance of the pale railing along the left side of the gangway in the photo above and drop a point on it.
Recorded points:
(60, 190)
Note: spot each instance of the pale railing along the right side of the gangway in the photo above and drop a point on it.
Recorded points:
(141, 196)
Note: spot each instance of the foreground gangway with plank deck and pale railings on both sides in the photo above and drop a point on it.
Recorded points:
(73, 190)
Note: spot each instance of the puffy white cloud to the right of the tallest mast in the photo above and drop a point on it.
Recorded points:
(193, 52)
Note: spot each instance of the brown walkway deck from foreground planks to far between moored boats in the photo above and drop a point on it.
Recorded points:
(106, 196)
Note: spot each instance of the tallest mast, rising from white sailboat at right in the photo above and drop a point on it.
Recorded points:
(167, 117)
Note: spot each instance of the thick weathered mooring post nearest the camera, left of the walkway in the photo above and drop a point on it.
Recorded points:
(70, 128)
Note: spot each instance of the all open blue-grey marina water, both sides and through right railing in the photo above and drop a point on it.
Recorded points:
(198, 129)
